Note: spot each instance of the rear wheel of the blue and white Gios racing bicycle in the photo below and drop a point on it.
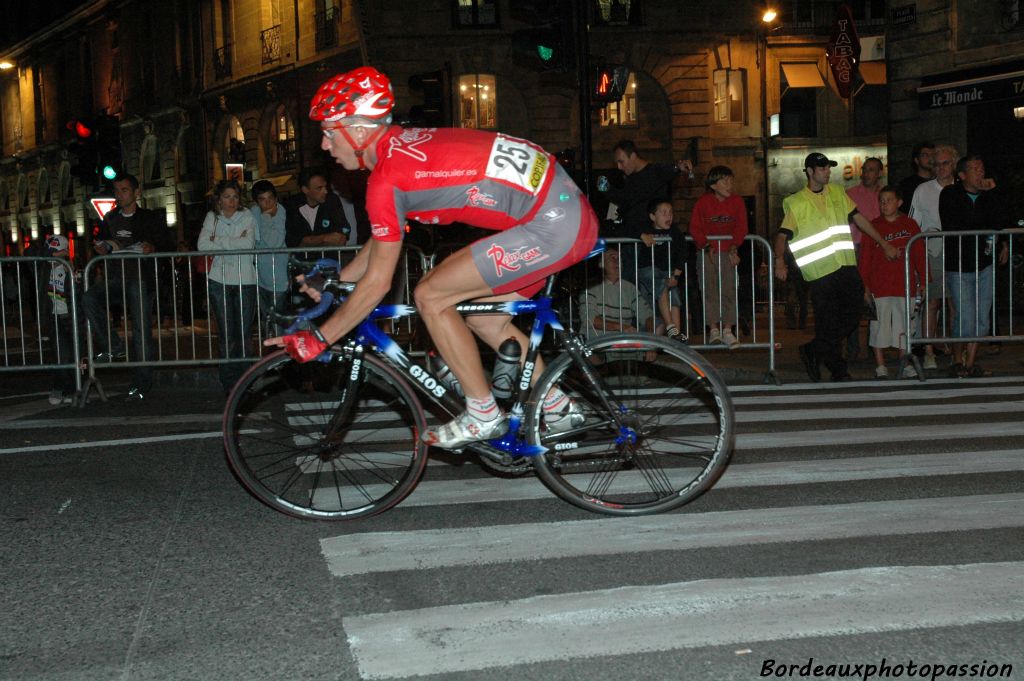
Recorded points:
(658, 437)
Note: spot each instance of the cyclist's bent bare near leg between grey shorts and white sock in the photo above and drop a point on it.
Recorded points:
(455, 281)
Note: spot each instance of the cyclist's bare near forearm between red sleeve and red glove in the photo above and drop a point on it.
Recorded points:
(381, 260)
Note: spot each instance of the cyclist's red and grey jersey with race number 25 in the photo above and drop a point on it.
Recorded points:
(445, 176)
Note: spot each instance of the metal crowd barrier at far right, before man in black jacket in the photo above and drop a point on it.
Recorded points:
(982, 283)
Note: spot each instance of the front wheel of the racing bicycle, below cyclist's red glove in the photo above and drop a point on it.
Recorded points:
(287, 446)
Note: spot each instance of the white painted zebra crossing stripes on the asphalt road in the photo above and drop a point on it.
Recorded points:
(897, 439)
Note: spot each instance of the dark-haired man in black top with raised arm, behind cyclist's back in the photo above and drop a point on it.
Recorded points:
(645, 182)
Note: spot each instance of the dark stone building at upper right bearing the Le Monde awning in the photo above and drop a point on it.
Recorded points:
(958, 77)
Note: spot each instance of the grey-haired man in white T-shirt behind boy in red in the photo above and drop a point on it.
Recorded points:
(925, 211)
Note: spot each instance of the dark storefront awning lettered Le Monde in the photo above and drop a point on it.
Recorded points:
(991, 83)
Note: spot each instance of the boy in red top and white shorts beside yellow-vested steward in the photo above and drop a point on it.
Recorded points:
(885, 285)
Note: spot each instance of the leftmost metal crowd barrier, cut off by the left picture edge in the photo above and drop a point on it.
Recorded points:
(34, 336)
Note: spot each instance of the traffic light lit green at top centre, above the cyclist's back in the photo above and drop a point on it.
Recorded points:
(549, 45)
